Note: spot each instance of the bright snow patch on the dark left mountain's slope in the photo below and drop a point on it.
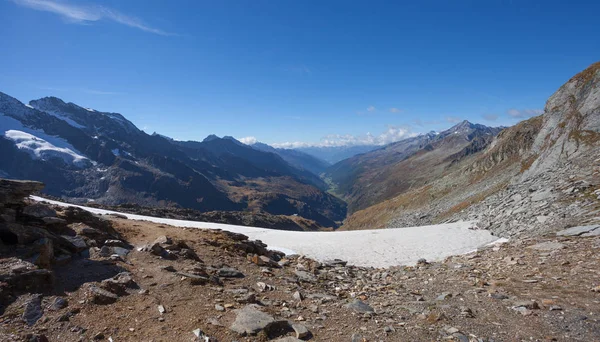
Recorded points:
(41, 149)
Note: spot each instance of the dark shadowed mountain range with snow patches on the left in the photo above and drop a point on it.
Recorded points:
(85, 155)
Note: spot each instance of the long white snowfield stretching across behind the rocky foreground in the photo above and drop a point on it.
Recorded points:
(377, 248)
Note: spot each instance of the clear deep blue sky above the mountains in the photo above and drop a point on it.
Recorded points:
(319, 72)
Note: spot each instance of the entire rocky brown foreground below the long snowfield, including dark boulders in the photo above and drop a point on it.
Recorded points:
(68, 275)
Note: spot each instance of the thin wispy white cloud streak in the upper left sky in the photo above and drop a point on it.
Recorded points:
(77, 13)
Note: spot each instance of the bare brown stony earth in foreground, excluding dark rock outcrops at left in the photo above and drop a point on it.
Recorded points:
(482, 296)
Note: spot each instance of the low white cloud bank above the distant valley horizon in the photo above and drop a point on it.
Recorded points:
(390, 135)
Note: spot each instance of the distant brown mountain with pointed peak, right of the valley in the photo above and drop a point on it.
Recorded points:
(375, 176)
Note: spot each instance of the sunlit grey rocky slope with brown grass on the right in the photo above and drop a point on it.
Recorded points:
(540, 175)
